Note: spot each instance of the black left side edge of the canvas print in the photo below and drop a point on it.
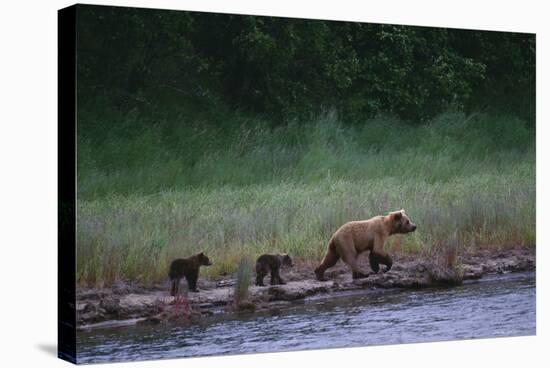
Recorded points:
(66, 175)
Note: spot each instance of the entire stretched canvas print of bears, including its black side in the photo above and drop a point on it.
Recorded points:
(234, 184)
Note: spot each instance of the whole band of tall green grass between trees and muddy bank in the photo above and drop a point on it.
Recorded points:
(150, 193)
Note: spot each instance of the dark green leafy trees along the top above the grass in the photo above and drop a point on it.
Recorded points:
(137, 59)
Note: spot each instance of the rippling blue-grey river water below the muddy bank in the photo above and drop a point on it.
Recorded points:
(499, 305)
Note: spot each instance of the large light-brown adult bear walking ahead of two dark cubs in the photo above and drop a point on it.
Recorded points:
(355, 237)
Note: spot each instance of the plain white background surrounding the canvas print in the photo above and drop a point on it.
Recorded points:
(28, 180)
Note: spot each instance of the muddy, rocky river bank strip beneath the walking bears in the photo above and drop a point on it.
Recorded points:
(125, 303)
